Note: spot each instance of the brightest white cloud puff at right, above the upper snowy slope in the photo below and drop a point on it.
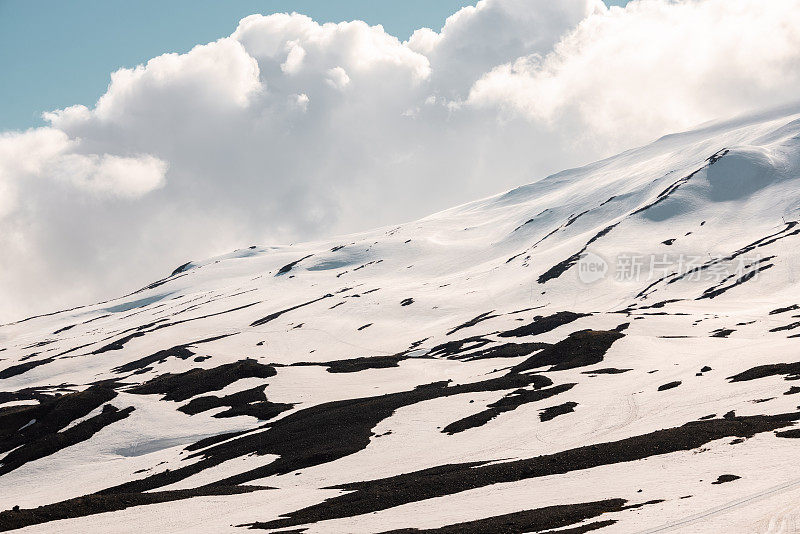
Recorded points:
(655, 67)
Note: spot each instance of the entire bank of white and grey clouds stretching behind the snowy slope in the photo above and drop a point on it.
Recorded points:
(290, 129)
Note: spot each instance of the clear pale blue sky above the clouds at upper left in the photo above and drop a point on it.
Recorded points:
(55, 54)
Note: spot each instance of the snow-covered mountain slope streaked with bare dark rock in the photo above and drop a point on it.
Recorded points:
(610, 348)
